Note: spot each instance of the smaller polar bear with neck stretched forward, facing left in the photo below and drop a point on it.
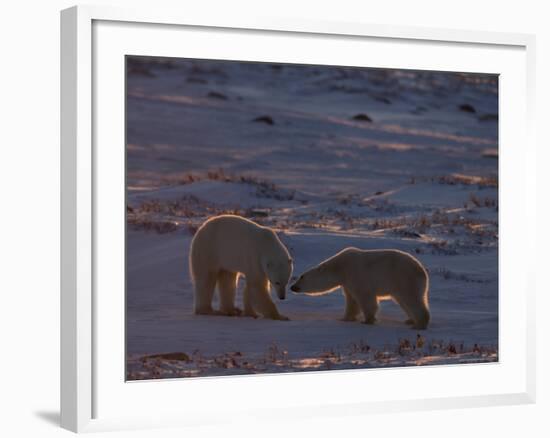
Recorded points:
(367, 277)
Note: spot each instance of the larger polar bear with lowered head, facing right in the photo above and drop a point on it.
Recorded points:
(226, 246)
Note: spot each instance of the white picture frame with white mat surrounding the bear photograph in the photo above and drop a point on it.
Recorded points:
(85, 374)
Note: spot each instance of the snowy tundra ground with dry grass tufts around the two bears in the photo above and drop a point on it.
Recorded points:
(420, 176)
